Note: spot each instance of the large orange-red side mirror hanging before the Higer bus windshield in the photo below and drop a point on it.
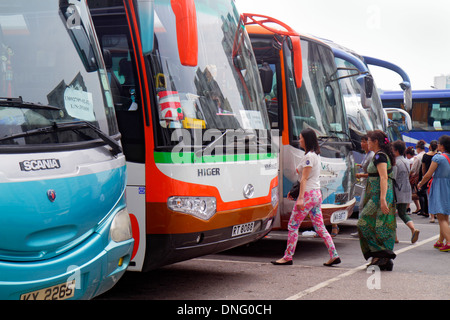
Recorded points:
(186, 23)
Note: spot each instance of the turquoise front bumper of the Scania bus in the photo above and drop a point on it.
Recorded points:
(88, 270)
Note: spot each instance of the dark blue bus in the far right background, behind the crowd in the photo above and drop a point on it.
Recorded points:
(430, 113)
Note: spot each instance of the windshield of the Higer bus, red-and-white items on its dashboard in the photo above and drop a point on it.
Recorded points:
(223, 91)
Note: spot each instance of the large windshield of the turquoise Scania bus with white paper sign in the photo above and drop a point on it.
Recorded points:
(47, 84)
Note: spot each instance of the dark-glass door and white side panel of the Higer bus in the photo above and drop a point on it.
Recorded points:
(116, 43)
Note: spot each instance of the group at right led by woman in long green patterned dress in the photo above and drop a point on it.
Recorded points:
(397, 177)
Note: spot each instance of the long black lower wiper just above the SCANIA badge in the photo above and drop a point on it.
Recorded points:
(74, 126)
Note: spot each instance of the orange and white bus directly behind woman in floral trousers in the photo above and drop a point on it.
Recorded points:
(302, 91)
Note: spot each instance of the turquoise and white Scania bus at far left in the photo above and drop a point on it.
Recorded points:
(65, 232)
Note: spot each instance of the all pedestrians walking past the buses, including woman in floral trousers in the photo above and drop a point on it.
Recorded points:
(394, 177)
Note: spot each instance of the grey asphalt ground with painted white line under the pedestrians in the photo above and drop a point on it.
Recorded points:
(245, 273)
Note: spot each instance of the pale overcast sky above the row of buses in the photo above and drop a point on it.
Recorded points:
(414, 34)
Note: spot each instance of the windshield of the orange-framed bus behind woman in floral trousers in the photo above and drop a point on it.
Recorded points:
(317, 103)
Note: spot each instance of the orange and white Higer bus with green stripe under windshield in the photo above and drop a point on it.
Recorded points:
(202, 170)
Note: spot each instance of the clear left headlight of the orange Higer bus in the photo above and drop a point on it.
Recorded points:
(200, 207)
